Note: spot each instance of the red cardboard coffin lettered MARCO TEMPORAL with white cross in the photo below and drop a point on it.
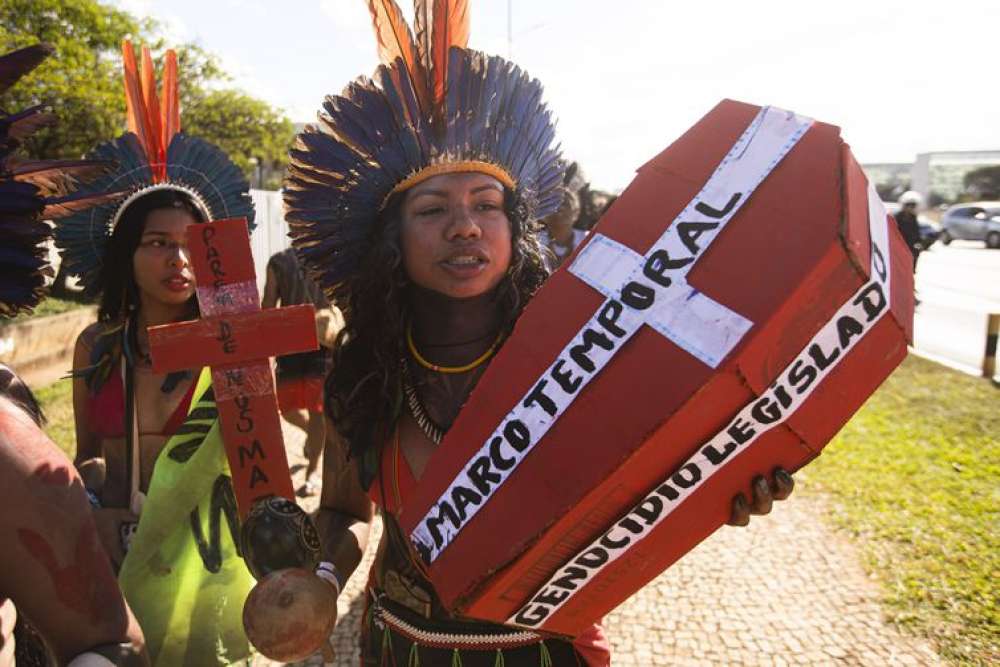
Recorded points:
(642, 465)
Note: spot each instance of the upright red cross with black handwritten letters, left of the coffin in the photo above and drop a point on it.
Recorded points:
(235, 338)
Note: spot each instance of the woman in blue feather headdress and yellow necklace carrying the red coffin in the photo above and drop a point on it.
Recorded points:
(413, 203)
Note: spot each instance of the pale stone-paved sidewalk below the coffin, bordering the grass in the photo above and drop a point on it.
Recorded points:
(787, 590)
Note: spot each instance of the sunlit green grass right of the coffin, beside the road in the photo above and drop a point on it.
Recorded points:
(915, 477)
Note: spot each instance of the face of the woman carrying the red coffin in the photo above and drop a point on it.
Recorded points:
(455, 235)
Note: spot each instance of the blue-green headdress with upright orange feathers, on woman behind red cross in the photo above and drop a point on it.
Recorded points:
(153, 155)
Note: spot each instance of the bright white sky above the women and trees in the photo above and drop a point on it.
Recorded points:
(627, 77)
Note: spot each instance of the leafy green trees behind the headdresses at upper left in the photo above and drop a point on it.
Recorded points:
(83, 83)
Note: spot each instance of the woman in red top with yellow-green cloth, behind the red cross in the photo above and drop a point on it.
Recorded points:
(148, 445)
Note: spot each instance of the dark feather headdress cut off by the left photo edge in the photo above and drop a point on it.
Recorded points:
(32, 191)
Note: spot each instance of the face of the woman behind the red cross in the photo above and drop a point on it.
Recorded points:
(161, 263)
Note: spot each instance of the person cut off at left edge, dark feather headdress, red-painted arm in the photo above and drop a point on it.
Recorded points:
(52, 565)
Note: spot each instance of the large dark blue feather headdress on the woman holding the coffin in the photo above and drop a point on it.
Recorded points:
(432, 107)
